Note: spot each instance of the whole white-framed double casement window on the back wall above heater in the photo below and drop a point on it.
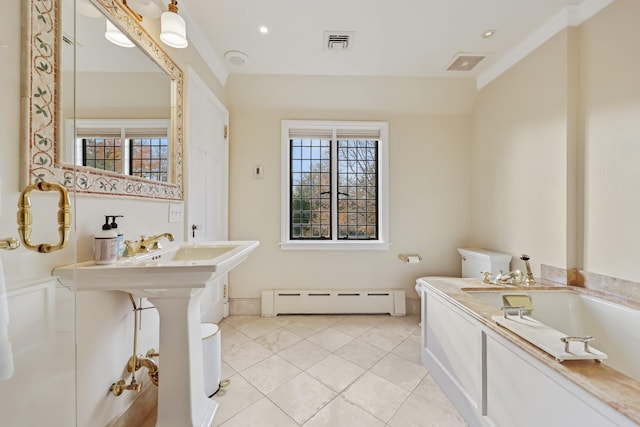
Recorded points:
(334, 185)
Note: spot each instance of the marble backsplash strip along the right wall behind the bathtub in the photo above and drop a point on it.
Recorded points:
(612, 286)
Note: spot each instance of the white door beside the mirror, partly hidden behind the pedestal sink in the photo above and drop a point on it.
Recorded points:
(207, 198)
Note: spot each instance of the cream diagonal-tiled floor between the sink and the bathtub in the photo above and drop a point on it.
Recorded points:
(338, 371)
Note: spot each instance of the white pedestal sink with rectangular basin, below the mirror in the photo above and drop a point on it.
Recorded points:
(172, 279)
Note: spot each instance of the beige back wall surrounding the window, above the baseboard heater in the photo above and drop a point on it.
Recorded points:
(429, 170)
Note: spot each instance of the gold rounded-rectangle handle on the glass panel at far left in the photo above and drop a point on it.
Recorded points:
(25, 218)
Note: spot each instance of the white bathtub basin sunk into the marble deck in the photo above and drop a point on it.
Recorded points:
(615, 328)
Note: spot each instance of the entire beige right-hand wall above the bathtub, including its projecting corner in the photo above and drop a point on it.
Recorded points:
(555, 150)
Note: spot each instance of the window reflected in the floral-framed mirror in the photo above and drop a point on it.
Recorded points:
(131, 147)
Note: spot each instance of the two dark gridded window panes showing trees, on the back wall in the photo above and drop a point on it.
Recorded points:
(311, 189)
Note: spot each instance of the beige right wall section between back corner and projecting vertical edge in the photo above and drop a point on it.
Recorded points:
(519, 158)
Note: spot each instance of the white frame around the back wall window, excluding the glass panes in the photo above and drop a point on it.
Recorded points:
(382, 243)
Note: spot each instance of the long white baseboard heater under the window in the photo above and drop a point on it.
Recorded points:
(343, 301)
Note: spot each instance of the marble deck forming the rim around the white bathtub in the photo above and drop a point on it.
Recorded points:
(606, 384)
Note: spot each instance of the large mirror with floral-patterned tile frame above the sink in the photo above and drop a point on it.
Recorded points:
(117, 88)
